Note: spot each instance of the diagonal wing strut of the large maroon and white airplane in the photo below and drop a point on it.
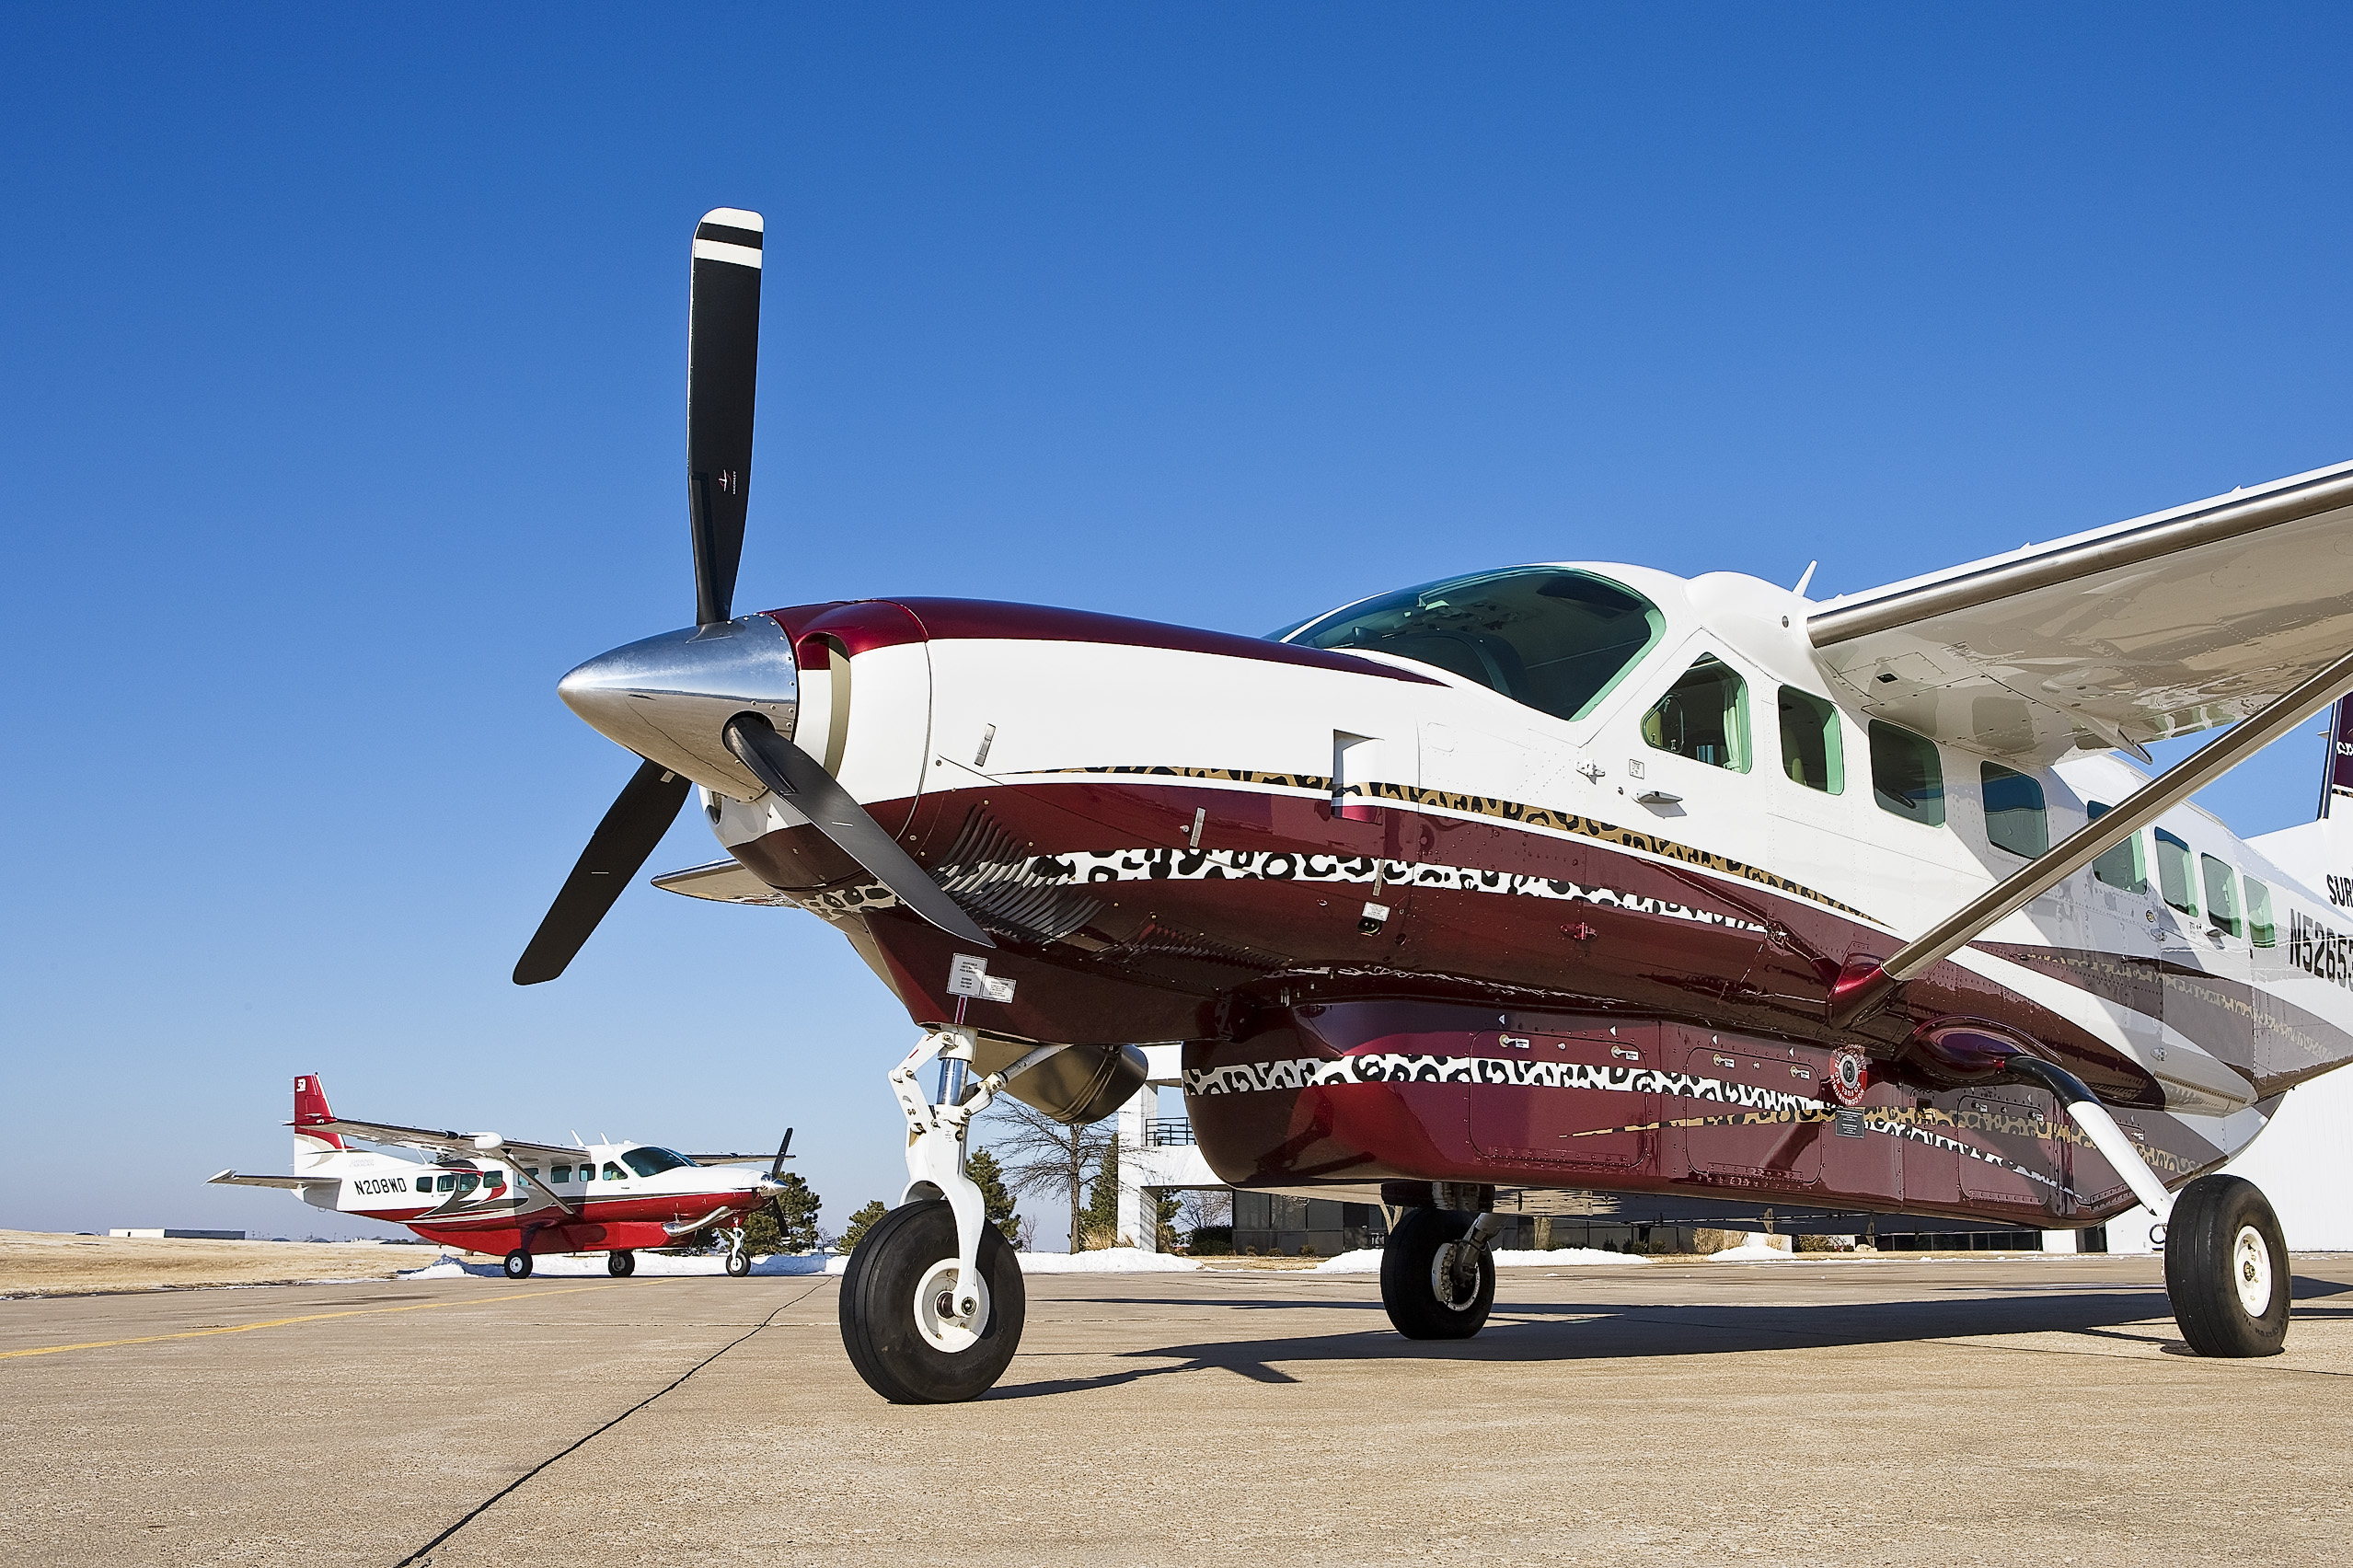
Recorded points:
(1869, 983)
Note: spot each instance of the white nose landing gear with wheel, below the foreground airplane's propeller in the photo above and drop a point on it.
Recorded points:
(933, 1298)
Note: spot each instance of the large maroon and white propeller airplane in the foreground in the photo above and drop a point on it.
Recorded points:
(1566, 875)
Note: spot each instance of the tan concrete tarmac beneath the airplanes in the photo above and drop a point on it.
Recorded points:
(1815, 1411)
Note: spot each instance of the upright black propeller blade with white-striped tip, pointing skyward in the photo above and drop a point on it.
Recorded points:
(724, 366)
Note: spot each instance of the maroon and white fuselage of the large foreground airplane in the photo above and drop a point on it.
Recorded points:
(1460, 903)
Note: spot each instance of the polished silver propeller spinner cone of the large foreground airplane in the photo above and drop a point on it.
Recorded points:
(669, 698)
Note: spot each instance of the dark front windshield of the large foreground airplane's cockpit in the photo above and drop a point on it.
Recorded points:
(1547, 637)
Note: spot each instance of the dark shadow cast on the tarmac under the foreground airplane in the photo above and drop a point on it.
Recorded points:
(1611, 1331)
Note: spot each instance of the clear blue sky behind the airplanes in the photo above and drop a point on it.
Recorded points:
(345, 361)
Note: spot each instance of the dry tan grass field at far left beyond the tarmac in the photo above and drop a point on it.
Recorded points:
(46, 1263)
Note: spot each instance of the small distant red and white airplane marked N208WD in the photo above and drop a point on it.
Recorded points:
(493, 1195)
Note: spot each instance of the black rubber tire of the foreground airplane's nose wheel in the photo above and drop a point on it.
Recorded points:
(879, 1310)
